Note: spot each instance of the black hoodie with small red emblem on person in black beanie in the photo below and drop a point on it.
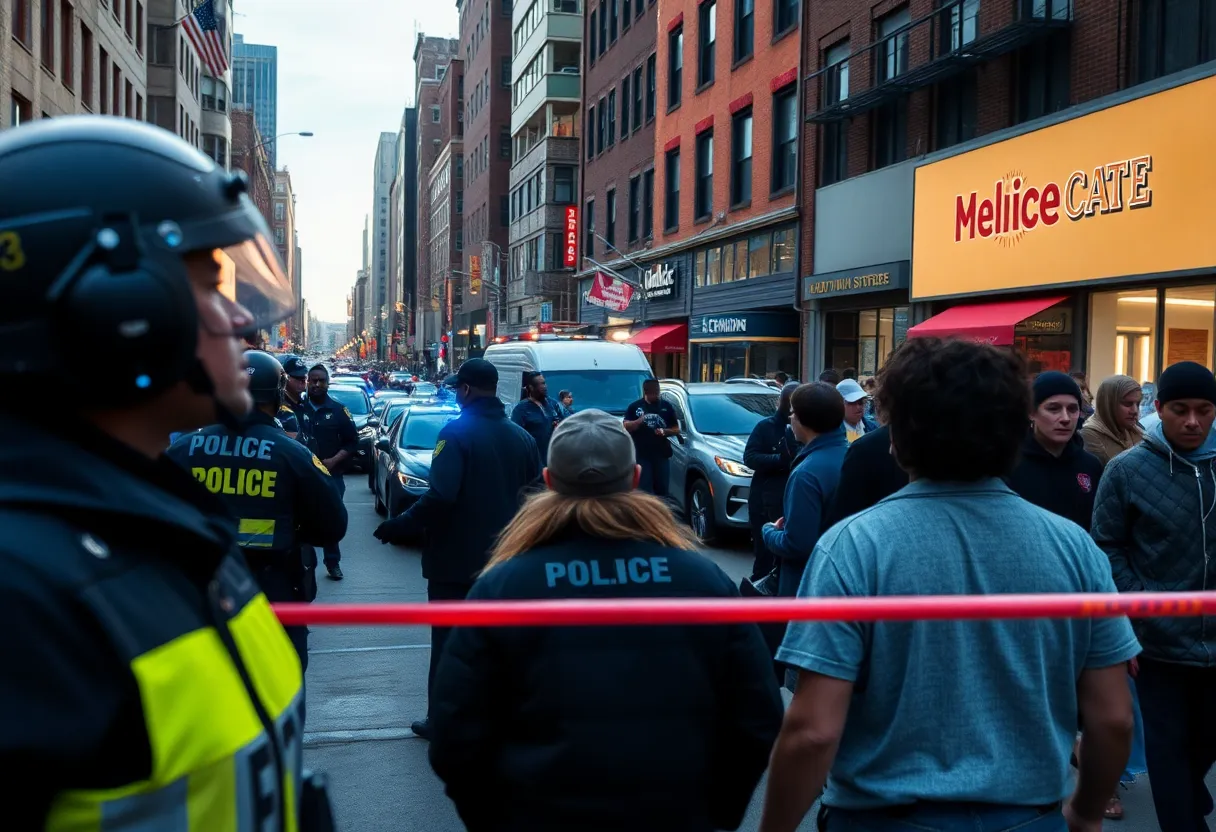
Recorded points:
(1065, 485)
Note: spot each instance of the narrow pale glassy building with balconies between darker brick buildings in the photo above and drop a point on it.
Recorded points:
(544, 149)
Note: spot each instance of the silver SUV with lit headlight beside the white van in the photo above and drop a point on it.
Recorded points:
(708, 477)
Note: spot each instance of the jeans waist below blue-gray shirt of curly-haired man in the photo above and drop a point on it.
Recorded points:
(947, 818)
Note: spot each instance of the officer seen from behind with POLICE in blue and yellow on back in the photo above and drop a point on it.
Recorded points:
(282, 494)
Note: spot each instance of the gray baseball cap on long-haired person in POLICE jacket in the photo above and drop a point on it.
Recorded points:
(592, 454)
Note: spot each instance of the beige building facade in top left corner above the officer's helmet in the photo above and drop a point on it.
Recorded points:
(60, 59)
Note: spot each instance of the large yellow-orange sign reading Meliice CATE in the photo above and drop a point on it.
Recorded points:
(1119, 193)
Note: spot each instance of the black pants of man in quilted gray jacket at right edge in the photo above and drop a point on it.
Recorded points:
(1179, 707)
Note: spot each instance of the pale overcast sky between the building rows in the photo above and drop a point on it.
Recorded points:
(346, 72)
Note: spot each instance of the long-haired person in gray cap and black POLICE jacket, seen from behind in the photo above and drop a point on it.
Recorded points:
(601, 729)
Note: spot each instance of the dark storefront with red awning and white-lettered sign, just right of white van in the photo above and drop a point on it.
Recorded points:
(657, 318)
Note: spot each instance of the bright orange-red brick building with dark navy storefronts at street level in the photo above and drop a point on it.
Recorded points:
(723, 269)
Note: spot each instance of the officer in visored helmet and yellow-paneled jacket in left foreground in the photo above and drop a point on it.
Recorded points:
(147, 682)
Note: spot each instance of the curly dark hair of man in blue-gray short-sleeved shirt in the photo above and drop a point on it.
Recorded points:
(958, 411)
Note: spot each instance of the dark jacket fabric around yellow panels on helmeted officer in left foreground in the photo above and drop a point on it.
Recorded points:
(104, 552)
